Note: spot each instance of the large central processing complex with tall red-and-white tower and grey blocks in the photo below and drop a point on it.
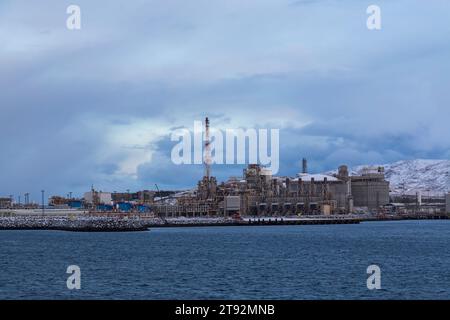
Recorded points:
(258, 193)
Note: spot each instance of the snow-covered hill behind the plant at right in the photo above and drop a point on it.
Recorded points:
(410, 176)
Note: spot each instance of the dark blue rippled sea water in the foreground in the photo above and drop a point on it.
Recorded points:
(276, 262)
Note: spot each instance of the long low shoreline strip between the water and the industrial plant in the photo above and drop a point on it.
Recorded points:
(133, 224)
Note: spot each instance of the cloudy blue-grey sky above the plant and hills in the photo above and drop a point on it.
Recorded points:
(97, 105)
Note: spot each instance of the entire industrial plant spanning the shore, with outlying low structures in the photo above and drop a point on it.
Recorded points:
(257, 193)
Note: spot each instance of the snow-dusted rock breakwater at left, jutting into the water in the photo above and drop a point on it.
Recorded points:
(81, 224)
